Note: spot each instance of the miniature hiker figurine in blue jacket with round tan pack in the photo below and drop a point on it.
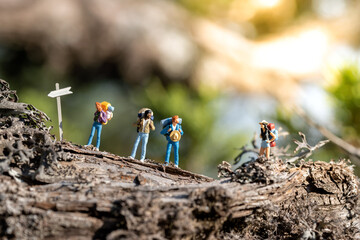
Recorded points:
(173, 131)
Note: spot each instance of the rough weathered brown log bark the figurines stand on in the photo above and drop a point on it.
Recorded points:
(58, 190)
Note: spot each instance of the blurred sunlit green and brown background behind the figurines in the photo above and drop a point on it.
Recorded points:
(222, 66)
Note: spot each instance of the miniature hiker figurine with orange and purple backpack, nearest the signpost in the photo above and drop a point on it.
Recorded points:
(103, 114)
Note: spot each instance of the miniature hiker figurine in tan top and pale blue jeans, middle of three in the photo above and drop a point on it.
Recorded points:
(144, 125)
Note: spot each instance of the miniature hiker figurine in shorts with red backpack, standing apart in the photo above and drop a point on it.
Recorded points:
(268, 136)
